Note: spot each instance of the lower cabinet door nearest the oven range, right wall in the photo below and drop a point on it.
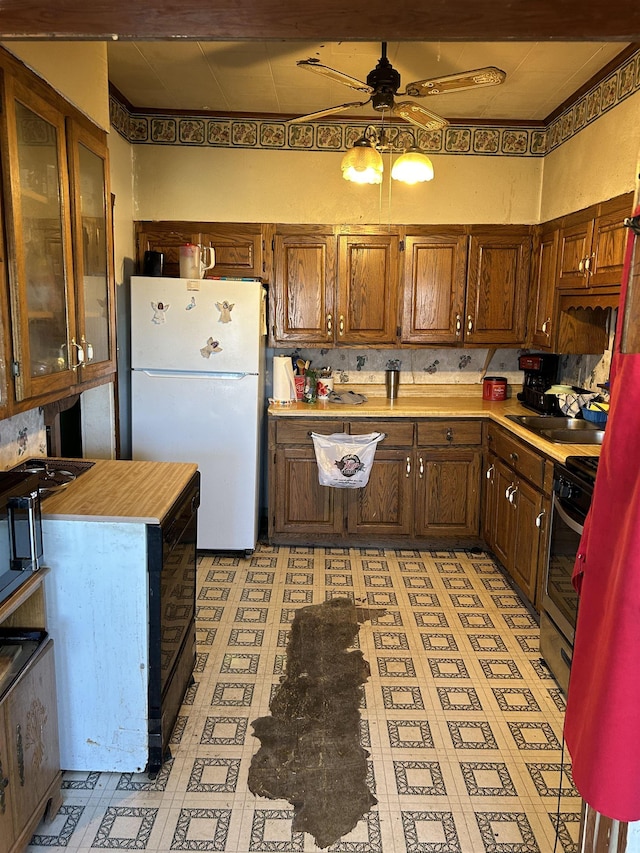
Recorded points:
(527, 536)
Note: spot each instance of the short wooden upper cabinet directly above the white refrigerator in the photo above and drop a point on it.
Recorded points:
(239, 247)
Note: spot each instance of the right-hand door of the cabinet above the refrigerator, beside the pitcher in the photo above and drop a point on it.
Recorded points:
(239, 248)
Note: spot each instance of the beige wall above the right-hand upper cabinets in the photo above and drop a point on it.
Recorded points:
(596, 164)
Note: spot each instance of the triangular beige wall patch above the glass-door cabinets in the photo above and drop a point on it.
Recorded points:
(78, 70)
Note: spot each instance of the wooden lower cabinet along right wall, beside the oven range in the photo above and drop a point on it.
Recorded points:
(516, 510)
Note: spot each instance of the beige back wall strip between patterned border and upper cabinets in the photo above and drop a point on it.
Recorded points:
(175, 182)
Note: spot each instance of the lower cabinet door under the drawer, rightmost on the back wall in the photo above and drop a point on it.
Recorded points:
(448, 492)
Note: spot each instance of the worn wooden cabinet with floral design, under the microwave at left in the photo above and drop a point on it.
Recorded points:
(30, 776)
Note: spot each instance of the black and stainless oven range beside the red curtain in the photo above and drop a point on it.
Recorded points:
(572, 491)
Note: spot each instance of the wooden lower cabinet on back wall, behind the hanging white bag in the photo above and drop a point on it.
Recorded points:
(414, 494)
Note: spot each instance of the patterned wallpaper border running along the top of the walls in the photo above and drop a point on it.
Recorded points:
(271, 134)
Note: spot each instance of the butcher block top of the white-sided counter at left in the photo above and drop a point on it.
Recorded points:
(123, 491)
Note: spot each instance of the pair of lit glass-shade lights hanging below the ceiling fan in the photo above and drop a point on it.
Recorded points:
(362, 164)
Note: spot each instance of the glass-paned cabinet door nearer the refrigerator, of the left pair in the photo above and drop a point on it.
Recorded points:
(93, 251)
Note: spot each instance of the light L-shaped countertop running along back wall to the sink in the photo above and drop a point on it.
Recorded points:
(440, 406)
